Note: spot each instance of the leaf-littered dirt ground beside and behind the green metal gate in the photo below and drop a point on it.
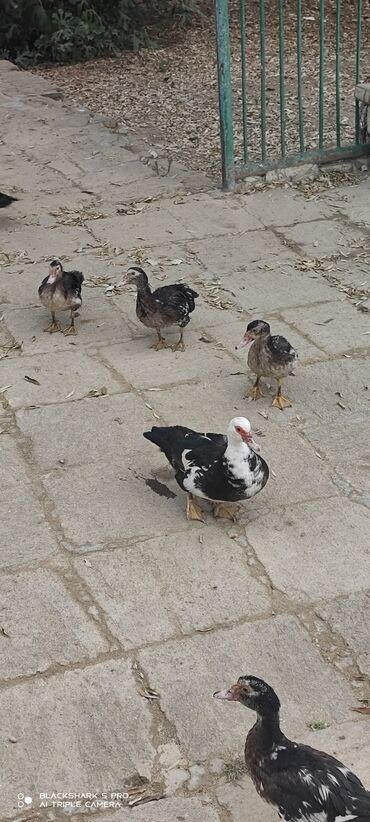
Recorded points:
(172, 91)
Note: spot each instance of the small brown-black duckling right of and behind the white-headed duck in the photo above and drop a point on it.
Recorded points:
(268, 356)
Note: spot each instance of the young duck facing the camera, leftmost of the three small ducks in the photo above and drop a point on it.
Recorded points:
(61, 291)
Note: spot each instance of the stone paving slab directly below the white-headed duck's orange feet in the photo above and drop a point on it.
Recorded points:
(162, 572)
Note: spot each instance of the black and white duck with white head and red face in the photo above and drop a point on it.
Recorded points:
(222, 469)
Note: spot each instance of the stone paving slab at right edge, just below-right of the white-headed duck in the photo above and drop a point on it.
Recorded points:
(308, 537)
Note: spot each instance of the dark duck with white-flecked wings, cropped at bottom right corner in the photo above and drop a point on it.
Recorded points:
(303, 784)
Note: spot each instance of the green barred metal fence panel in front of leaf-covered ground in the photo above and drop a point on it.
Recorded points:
(247, 160)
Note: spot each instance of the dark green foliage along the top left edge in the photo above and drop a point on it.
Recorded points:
(73, 30)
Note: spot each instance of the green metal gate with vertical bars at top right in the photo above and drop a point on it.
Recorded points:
(242, 157)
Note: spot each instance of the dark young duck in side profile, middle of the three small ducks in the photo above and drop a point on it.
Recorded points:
(166, 306)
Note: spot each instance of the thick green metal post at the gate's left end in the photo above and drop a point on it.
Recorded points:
(225, 93)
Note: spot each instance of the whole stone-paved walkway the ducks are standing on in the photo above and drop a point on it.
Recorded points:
(107, 593)
